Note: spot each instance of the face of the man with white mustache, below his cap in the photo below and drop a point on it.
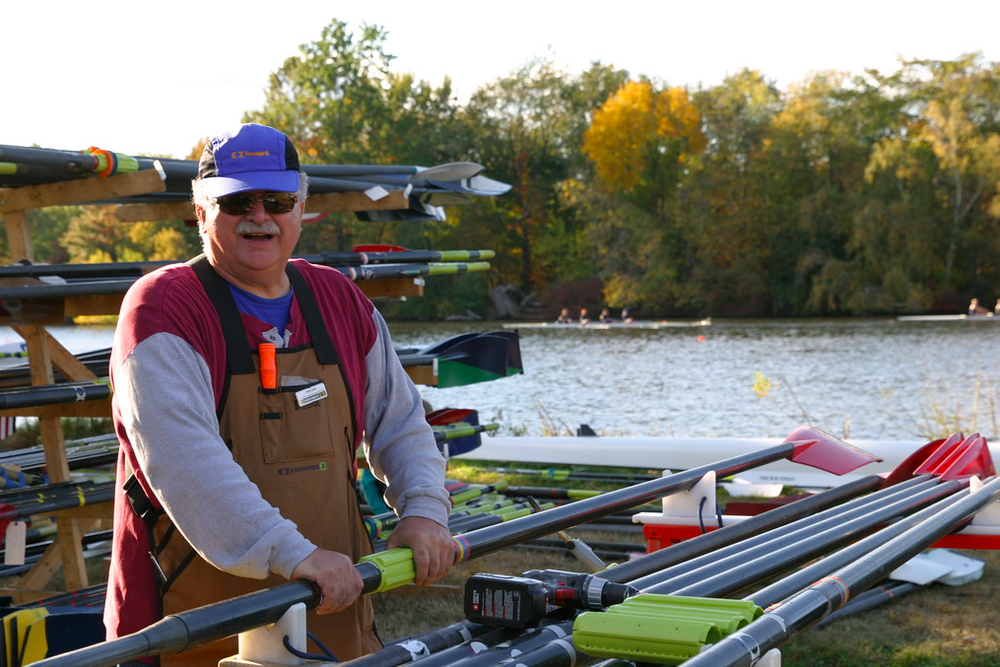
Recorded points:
(253, 246)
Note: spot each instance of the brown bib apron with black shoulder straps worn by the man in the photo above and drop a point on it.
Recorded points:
(302, 460)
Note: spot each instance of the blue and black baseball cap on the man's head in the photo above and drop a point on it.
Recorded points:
(255, 157)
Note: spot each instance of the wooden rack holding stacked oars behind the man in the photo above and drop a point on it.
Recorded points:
(29, 317)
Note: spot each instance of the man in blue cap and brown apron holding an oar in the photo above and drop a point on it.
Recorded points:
(230, 481)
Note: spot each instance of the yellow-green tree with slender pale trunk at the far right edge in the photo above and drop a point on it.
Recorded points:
(934, 175)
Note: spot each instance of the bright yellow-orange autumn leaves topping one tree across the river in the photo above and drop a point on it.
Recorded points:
(634, 120)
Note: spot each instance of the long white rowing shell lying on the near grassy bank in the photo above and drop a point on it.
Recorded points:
(684, 453)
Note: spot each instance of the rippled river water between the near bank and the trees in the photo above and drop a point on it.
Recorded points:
(855, 378)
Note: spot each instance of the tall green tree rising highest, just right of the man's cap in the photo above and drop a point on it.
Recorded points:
(341, 104)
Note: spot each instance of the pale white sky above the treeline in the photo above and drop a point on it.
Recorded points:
(154, 78)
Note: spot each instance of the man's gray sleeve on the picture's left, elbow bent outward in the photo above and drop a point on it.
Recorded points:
(164, 393)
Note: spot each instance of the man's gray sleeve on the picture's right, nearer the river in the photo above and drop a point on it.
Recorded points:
(399, 443)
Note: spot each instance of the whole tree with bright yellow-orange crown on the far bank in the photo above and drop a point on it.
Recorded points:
(640, 141)
